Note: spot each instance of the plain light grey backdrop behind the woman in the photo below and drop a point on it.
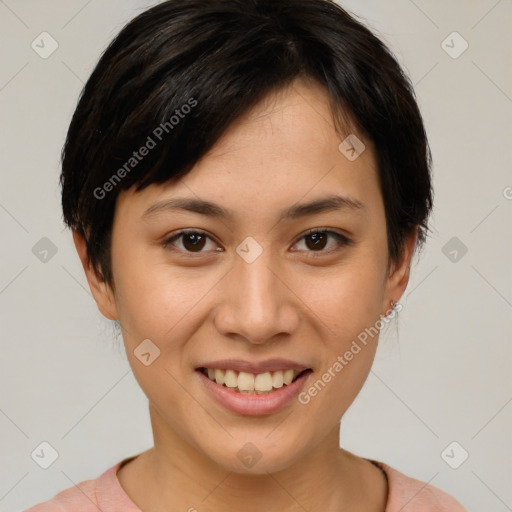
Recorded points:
(442, 372)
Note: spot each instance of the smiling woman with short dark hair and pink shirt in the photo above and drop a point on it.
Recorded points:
(247, 182)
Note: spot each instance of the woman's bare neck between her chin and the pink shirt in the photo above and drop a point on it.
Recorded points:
(174, 472)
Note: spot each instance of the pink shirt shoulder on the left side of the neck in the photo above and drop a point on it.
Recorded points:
(102, 493)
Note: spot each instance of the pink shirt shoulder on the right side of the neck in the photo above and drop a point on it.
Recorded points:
(406, 494)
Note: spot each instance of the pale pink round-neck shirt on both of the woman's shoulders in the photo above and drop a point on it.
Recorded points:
(106, 494)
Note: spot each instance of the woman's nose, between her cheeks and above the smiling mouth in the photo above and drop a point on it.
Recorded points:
(256, 304)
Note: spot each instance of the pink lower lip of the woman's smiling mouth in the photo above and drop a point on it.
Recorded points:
(254, 405)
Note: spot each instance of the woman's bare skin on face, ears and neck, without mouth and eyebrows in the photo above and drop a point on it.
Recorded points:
(287, 303)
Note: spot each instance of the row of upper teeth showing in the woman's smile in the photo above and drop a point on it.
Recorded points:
(245, 382)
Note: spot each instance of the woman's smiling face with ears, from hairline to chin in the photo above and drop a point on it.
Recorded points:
(266, 292)
